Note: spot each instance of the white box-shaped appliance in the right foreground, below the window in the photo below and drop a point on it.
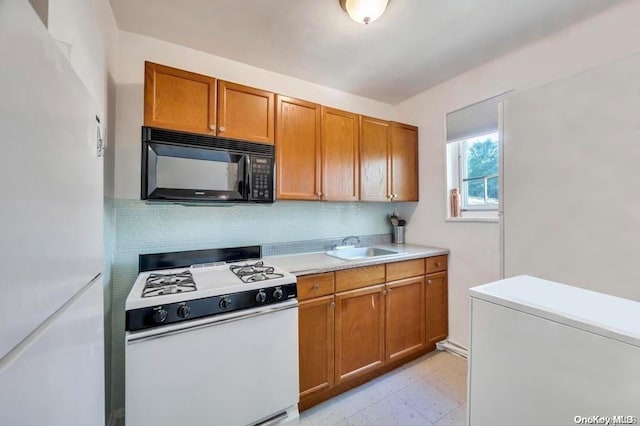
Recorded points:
(544, 353)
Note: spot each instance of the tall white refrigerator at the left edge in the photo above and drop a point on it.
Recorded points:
(51, 309)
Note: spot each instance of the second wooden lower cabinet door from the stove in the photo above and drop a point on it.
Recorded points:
(359, 332)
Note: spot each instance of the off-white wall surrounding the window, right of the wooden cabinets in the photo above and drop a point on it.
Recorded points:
(475, 257)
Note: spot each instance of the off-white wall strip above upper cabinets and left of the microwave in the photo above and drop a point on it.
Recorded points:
(134, 49)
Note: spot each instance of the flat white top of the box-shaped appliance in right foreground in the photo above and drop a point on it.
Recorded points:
(598, 313)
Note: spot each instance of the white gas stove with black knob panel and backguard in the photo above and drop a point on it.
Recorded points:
(214, 343)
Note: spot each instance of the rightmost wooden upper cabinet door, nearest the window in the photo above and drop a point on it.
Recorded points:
(404, 162)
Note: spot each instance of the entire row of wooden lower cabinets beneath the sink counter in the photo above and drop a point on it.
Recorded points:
(368, 326)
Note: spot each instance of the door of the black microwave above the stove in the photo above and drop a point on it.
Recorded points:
(187, 173)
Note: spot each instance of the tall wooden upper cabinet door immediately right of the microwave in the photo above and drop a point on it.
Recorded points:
(298, 136)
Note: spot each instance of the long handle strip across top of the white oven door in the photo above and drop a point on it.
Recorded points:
(207, 322)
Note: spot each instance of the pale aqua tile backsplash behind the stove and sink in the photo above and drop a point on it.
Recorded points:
(152, 227)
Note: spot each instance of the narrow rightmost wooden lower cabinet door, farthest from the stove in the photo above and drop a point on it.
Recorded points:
(437, 308)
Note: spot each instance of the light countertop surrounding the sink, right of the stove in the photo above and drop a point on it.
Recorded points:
(318, 262)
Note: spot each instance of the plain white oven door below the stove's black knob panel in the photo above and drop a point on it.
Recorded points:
(234, 369)
